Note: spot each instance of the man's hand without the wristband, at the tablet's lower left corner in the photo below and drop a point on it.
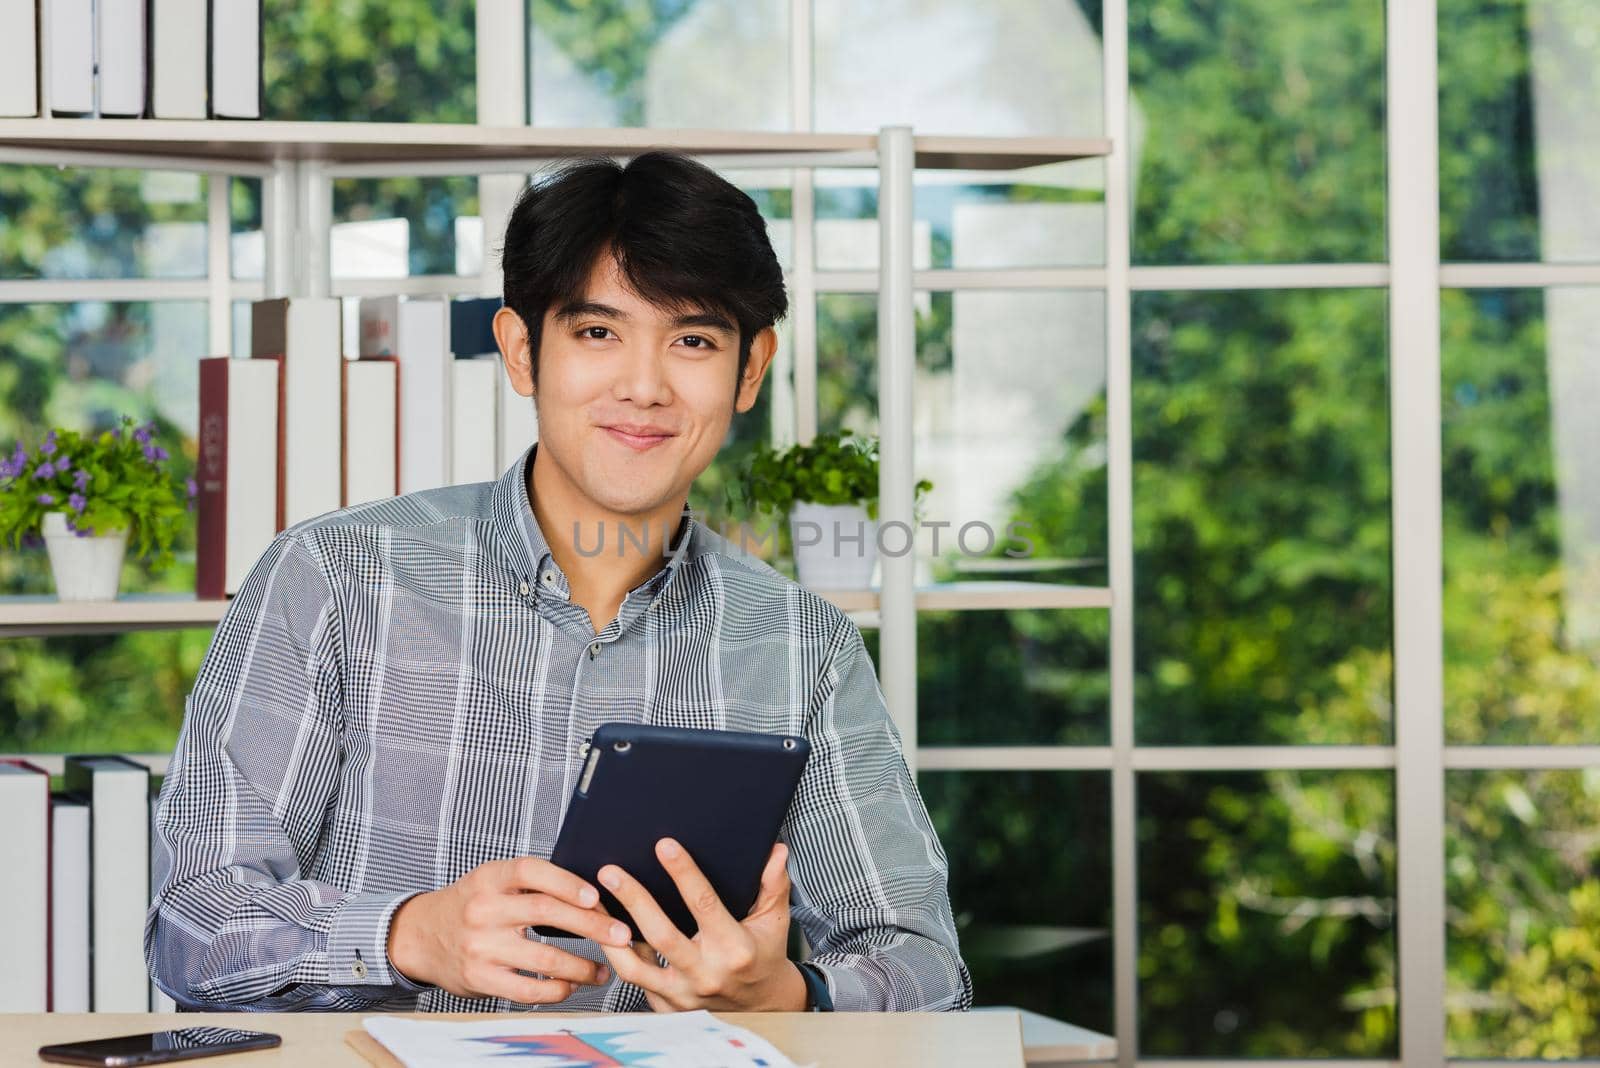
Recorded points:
(470, 938)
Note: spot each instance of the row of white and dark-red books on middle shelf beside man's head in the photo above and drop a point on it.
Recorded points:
(302, 429)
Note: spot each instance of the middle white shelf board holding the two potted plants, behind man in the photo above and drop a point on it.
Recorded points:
(44, 616)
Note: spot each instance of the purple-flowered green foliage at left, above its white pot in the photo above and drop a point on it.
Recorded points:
(106, 484)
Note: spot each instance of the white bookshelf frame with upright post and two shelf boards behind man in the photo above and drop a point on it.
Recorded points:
(298, 164)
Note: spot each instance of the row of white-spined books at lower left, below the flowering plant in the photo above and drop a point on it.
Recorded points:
(76, 888)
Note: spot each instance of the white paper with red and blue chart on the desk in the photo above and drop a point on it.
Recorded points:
(682, 1040)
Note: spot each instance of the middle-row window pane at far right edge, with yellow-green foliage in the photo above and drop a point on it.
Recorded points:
(1522, 516)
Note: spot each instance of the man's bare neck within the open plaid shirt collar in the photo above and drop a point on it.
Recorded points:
(602, 554)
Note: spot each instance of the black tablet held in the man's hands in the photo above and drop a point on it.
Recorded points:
(721, 794)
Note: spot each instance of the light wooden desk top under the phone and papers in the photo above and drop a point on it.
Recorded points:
(830, 1040)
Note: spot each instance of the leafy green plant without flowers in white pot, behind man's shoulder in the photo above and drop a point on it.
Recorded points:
(830, 492)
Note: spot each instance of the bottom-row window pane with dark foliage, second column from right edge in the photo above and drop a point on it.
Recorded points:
(1266, 915)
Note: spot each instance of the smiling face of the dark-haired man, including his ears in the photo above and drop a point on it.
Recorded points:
(634, 400)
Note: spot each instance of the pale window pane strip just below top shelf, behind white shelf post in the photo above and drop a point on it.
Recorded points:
(1042, 217)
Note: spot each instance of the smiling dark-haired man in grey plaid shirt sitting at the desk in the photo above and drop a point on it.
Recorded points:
(386, 728)
